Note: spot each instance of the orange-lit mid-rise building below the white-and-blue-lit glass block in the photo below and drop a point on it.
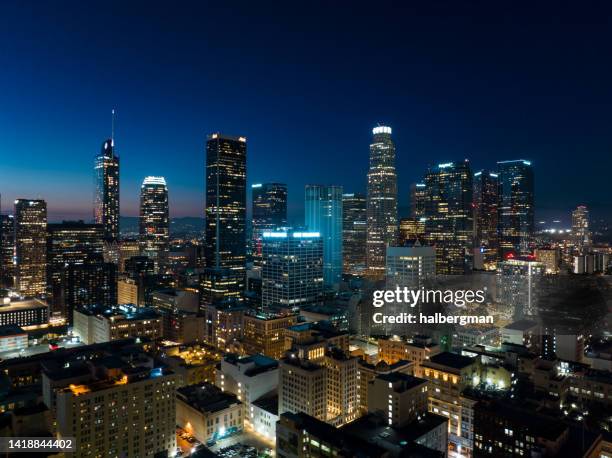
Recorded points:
(264, 332)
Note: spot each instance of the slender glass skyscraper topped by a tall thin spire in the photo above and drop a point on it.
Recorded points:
(106, 200)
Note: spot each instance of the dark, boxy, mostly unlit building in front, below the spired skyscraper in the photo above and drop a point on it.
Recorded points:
(90, 283)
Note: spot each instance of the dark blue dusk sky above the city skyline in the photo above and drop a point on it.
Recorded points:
(305, 82)
